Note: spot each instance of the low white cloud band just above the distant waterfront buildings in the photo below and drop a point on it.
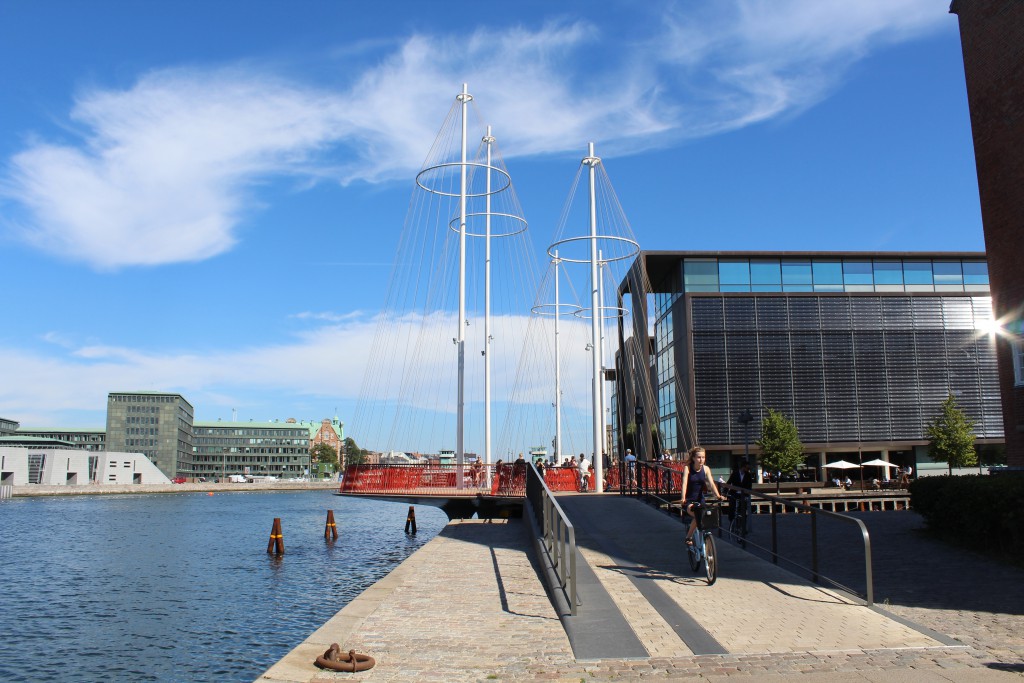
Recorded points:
(327, 361)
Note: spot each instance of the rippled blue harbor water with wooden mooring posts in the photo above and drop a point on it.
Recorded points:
(180, 587)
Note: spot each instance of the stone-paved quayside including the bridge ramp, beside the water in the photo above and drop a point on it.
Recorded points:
(471, 607)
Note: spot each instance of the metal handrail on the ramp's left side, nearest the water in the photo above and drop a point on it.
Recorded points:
(559, 535)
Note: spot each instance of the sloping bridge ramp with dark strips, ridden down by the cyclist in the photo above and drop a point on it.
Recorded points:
(755, 608)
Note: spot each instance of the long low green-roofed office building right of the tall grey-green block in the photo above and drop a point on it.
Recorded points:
(254, 449)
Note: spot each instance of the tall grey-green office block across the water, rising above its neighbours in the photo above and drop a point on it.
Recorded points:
(159, 425)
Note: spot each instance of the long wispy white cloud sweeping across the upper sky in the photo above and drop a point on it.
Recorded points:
(166, 172)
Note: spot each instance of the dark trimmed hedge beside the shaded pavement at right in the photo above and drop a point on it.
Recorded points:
(987, 514)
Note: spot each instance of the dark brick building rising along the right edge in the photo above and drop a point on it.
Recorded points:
(993, 39)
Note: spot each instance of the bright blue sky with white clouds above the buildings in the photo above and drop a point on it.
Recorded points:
(207, 198)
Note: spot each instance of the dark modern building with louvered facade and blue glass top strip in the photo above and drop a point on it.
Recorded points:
(860, 350)
